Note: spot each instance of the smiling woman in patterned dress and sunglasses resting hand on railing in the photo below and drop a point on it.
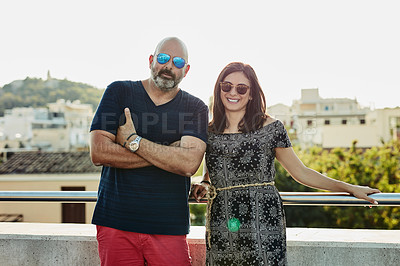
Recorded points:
(245, 221)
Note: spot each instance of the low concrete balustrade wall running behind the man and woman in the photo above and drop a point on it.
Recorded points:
(75, 244)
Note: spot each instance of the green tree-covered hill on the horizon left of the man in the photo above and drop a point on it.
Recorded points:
(36, 92)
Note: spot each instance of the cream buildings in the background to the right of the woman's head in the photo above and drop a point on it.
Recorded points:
(336, 122)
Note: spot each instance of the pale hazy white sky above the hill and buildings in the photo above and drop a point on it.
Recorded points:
(347, 49)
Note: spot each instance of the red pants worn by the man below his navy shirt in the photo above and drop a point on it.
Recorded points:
(118, 247)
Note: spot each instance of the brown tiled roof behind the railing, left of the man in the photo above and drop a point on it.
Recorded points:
(49, 163)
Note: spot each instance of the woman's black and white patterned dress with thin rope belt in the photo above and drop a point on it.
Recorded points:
(247, 222)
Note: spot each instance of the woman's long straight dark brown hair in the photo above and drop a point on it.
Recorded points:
(255, 115)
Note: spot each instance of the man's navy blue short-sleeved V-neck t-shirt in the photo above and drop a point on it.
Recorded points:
(147, 200)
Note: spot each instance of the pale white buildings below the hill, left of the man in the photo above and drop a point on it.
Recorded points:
(63, 126)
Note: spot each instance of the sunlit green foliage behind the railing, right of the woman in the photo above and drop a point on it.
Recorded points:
(375, 167)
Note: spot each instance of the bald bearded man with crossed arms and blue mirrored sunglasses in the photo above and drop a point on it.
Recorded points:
(150, 137)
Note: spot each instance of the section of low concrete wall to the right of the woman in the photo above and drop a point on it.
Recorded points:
(343, 247)
